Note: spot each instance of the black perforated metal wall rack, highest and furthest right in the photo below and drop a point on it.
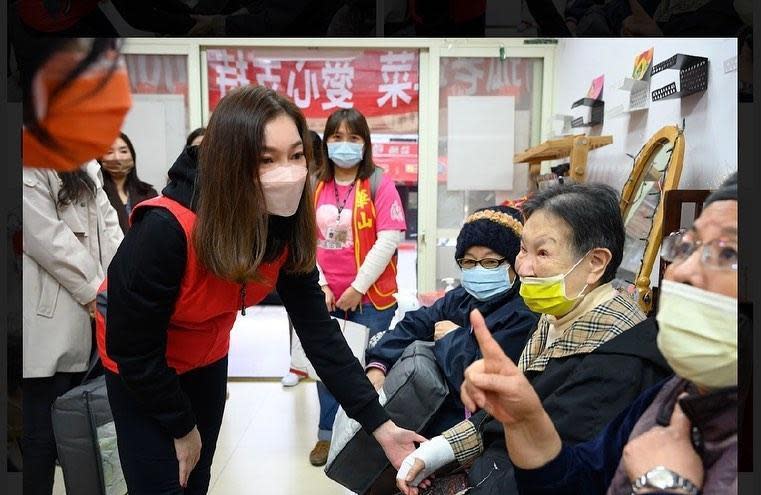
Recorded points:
(679, 76)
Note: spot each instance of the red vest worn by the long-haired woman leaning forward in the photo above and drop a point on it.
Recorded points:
(206, 306)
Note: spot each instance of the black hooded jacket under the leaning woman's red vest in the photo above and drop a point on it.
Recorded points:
(143, 283)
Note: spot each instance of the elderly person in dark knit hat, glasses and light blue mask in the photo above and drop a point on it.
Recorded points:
(486, 249)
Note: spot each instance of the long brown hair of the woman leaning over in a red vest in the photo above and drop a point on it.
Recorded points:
(233, 232)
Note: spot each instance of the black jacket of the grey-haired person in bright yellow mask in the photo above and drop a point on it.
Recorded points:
(582, 394)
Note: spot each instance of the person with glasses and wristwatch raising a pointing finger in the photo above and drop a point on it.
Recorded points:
(679, 436)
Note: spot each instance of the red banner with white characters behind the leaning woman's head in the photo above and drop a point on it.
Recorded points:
(376, 82)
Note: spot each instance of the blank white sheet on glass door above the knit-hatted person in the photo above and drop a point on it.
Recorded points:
(481, 143)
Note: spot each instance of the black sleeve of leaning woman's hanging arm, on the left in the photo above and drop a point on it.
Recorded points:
(143, 283)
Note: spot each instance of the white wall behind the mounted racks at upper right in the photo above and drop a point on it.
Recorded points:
(710, 117)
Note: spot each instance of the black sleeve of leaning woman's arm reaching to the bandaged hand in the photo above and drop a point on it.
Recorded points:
(327, 349)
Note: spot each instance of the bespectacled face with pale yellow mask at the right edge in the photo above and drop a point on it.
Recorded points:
(697, 311)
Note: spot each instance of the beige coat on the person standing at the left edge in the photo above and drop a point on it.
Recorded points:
(66, 253)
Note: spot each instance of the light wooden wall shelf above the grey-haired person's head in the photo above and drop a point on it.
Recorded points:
(576, 147)
